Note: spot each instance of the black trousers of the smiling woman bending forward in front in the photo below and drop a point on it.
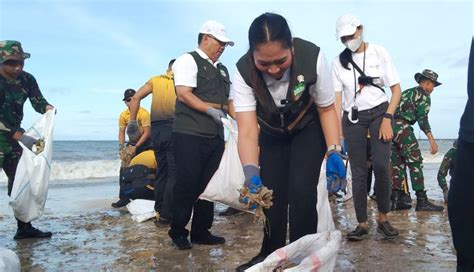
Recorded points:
(290, 167)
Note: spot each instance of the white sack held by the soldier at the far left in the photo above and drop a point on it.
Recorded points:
(30, 188)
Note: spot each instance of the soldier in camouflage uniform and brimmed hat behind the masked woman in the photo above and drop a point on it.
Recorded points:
(414, 107)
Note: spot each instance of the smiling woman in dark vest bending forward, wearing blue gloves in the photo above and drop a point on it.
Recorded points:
(284, 85)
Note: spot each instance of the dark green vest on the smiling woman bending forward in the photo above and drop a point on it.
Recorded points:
(298, 111)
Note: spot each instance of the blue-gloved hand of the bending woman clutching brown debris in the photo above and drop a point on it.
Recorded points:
(256, 196)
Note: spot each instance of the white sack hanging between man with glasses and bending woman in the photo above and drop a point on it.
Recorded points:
(229, 178)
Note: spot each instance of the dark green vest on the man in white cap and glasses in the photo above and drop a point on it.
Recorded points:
(213, 86)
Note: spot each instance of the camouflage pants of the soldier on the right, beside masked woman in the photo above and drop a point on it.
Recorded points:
(406, 153)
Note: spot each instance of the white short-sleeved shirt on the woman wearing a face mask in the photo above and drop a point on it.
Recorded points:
(378, 63)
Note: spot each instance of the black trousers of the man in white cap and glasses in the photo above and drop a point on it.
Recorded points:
(197, 158)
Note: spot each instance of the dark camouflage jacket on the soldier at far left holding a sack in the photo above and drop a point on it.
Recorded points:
(13, 94)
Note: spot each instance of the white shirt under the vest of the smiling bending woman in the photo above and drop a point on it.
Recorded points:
(321, 92)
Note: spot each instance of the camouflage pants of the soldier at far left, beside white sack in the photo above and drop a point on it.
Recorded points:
(10, 153)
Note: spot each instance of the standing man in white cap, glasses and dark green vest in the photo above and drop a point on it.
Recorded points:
(202, 89)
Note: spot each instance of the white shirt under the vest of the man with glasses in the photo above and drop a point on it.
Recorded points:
(185, 69)
